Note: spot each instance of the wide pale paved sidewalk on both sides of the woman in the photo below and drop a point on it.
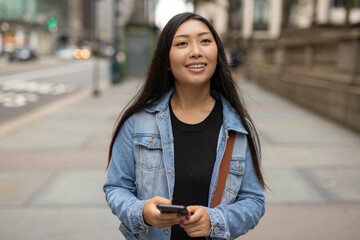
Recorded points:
(52, 171)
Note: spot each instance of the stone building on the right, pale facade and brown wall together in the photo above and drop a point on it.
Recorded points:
(306, 53)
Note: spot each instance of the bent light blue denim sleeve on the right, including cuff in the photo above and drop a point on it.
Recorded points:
(231, 221)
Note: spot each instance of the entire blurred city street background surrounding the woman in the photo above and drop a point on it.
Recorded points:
(68, 68)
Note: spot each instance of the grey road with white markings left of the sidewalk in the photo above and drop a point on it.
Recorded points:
(32, 86)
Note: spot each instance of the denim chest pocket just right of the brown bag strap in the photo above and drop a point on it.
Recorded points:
(234, 180)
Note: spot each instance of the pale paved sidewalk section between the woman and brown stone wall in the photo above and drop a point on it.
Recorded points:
(312, 166)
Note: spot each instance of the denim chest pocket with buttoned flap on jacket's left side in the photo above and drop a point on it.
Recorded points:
(148, 152)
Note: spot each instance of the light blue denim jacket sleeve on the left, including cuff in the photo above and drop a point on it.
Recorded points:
(120, 185)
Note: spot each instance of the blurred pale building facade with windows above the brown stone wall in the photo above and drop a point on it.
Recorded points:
(264, 19)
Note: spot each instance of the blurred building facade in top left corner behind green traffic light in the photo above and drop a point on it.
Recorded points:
(31, 23)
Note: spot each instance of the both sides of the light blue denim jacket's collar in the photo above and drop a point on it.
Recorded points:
(231, 119)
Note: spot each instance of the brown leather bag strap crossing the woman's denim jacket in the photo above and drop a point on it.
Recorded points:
(224, 169)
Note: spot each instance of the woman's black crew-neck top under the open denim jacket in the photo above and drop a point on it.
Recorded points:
(195, 154)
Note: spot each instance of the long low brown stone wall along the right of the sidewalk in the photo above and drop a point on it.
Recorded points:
(318, 69)
